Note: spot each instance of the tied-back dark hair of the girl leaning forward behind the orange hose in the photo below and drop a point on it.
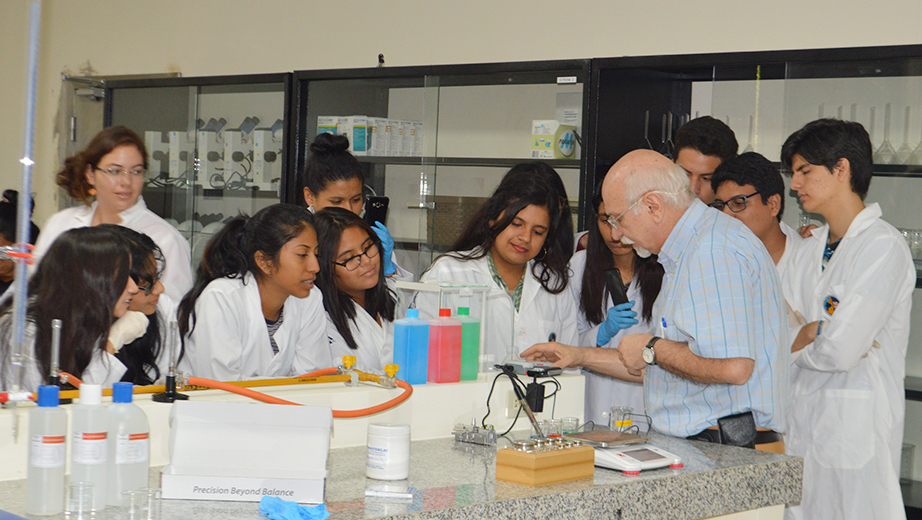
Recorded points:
(231, 253)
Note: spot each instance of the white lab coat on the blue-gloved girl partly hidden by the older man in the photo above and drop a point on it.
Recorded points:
(602, 391)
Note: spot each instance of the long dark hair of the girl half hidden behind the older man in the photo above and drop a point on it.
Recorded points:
(648, 273)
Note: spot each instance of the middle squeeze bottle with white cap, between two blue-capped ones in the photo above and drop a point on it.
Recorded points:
(88, 447)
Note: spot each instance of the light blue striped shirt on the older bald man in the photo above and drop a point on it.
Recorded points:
(722, 296)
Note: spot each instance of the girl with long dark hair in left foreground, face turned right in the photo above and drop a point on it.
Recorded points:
(84, 281)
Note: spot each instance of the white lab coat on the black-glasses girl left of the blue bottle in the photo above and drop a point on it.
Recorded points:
(375, 342)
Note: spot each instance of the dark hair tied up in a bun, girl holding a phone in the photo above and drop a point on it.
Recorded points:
(328, 162)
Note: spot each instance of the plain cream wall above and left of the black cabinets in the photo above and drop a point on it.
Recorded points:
(210, 37)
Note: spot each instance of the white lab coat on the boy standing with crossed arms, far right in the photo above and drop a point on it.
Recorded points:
(847, 397)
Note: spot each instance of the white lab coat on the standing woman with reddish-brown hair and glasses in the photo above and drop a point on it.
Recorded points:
(177, 273)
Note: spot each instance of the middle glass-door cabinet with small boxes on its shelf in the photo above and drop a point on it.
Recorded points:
(436, 140)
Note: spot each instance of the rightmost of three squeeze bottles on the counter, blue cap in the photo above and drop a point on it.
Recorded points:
(128, 464)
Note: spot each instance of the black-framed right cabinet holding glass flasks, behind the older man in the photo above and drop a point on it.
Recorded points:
(639, 102)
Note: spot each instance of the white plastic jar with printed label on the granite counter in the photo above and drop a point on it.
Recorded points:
(388, 451)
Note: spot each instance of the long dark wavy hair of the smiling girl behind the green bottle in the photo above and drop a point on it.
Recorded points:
(526, 184)
